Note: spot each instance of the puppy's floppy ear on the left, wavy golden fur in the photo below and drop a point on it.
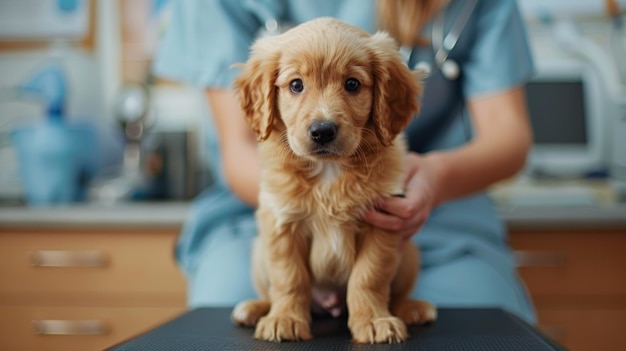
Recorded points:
(255, 88)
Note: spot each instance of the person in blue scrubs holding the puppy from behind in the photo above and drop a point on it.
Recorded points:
(472, 131)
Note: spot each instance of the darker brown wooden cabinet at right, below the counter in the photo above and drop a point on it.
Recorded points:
(577, 279)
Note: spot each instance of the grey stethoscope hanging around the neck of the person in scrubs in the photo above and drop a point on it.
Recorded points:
(449, 68)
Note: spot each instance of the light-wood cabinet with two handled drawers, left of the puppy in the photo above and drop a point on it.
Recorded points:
(84, 288)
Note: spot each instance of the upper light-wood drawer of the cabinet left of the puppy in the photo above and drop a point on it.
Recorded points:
(80, 261)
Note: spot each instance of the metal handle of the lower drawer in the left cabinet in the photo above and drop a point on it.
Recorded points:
(69, 327)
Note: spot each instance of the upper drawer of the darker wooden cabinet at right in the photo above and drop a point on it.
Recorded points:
(572, 263)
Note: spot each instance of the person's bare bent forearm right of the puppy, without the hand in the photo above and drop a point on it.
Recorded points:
(497, 152)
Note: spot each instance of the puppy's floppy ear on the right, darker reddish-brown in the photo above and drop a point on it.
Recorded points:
(396, 89)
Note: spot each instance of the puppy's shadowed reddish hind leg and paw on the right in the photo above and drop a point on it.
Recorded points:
(409, 311)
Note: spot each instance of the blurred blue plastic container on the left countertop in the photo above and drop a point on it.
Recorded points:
(57, 159)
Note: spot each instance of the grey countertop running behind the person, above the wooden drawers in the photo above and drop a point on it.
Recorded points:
(172, 214)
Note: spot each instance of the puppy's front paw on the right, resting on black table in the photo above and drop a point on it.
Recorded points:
(379, 330)
